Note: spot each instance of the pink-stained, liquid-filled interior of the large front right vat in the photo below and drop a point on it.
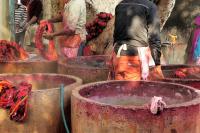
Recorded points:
(137, 93)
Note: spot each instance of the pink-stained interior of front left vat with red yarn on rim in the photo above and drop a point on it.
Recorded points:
(39, 81)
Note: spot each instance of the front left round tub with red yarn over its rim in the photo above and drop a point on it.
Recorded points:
(44, 113)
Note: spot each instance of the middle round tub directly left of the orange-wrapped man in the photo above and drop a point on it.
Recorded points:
(88, 68)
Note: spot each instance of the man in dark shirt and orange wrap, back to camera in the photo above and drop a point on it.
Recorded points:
(137, 28)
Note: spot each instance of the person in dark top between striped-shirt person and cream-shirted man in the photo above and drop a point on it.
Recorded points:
(34, 10)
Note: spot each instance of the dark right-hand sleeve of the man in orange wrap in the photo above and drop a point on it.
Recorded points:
(154, 34)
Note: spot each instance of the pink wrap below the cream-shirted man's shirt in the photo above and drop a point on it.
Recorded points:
(70, 52)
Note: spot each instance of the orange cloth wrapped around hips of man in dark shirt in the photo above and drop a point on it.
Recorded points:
(127, 68)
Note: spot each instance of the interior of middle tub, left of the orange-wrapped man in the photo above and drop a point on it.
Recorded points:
(87, 61)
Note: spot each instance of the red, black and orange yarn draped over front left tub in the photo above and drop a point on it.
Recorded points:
(15, 98)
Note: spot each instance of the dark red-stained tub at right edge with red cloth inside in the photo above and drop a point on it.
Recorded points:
(192, 80)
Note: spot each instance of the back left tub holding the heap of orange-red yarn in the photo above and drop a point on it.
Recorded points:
(32, 65)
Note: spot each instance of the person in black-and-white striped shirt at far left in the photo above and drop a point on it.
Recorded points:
(20, 21)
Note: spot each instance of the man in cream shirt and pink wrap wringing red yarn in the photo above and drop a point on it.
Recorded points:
(74, 20)
